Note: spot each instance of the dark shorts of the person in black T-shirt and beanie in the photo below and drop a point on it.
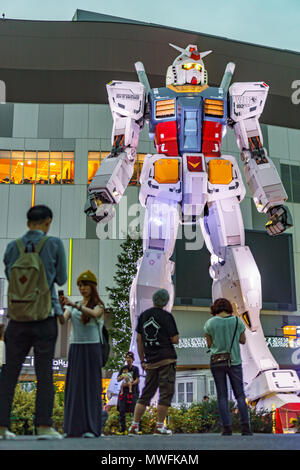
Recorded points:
(163, 378)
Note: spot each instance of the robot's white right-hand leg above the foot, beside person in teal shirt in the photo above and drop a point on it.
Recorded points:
(236, 277)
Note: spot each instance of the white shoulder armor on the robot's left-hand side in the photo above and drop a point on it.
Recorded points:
(126, 98)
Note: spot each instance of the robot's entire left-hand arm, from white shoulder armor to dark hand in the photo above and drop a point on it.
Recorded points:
(127, 103)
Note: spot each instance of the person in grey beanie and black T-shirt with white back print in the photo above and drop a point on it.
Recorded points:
(156, 335)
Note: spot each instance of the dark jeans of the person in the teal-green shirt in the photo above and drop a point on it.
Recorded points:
(235, 374)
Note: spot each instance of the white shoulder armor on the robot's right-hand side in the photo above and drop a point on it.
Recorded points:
(247, 99)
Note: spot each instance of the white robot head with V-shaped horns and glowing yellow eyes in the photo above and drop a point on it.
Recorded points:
(188, 67)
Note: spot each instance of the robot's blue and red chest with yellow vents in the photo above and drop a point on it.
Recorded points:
(188, 124)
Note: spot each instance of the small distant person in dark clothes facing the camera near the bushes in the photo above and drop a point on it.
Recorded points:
(127, 400)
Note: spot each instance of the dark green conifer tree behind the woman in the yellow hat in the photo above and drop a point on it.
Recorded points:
(120, 331)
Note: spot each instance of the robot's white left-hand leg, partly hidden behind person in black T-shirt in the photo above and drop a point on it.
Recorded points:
(154, 268)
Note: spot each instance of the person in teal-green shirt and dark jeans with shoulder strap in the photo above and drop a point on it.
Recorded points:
(219, 332)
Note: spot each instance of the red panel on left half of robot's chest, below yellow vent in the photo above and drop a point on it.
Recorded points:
(166, 138)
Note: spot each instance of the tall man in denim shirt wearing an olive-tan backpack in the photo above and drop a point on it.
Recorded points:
(33, 264)
